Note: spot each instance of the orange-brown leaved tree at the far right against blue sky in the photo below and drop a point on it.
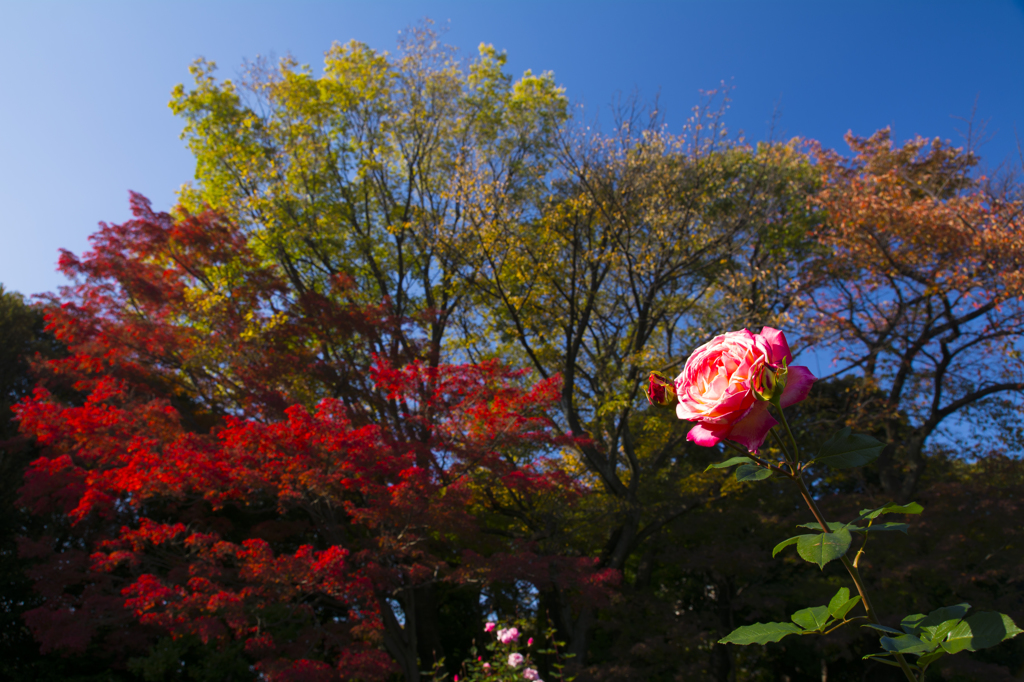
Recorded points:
(919, 289)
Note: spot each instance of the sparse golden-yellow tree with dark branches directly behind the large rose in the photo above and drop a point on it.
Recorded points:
(647, 242)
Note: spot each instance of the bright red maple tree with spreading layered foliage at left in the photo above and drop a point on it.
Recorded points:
(244, 467)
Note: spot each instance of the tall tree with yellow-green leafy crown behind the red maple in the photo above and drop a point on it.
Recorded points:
(351, 175)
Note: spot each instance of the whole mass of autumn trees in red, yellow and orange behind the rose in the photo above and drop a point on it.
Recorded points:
(270, 438)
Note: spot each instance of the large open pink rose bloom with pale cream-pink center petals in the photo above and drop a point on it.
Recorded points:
(716, 388)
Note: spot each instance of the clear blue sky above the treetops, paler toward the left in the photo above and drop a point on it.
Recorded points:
(83, 98)
